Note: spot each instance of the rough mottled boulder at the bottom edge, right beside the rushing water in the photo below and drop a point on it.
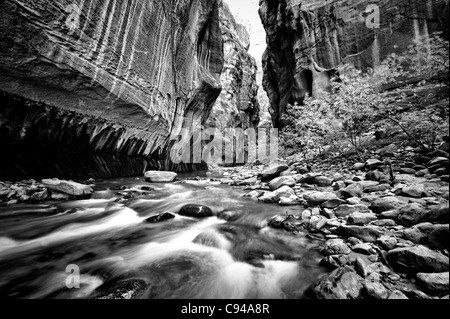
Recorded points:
(342, 283)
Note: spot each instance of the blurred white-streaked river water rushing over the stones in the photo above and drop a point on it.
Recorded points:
(119, 255)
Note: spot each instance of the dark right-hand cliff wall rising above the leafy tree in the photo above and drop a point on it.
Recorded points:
(306, 39)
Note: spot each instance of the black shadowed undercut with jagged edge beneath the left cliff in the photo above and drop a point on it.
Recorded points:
(38, 141)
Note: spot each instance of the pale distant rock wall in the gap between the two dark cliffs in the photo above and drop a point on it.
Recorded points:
(237, 105)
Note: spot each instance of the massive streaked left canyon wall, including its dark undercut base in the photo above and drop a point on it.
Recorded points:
(98, 88)
